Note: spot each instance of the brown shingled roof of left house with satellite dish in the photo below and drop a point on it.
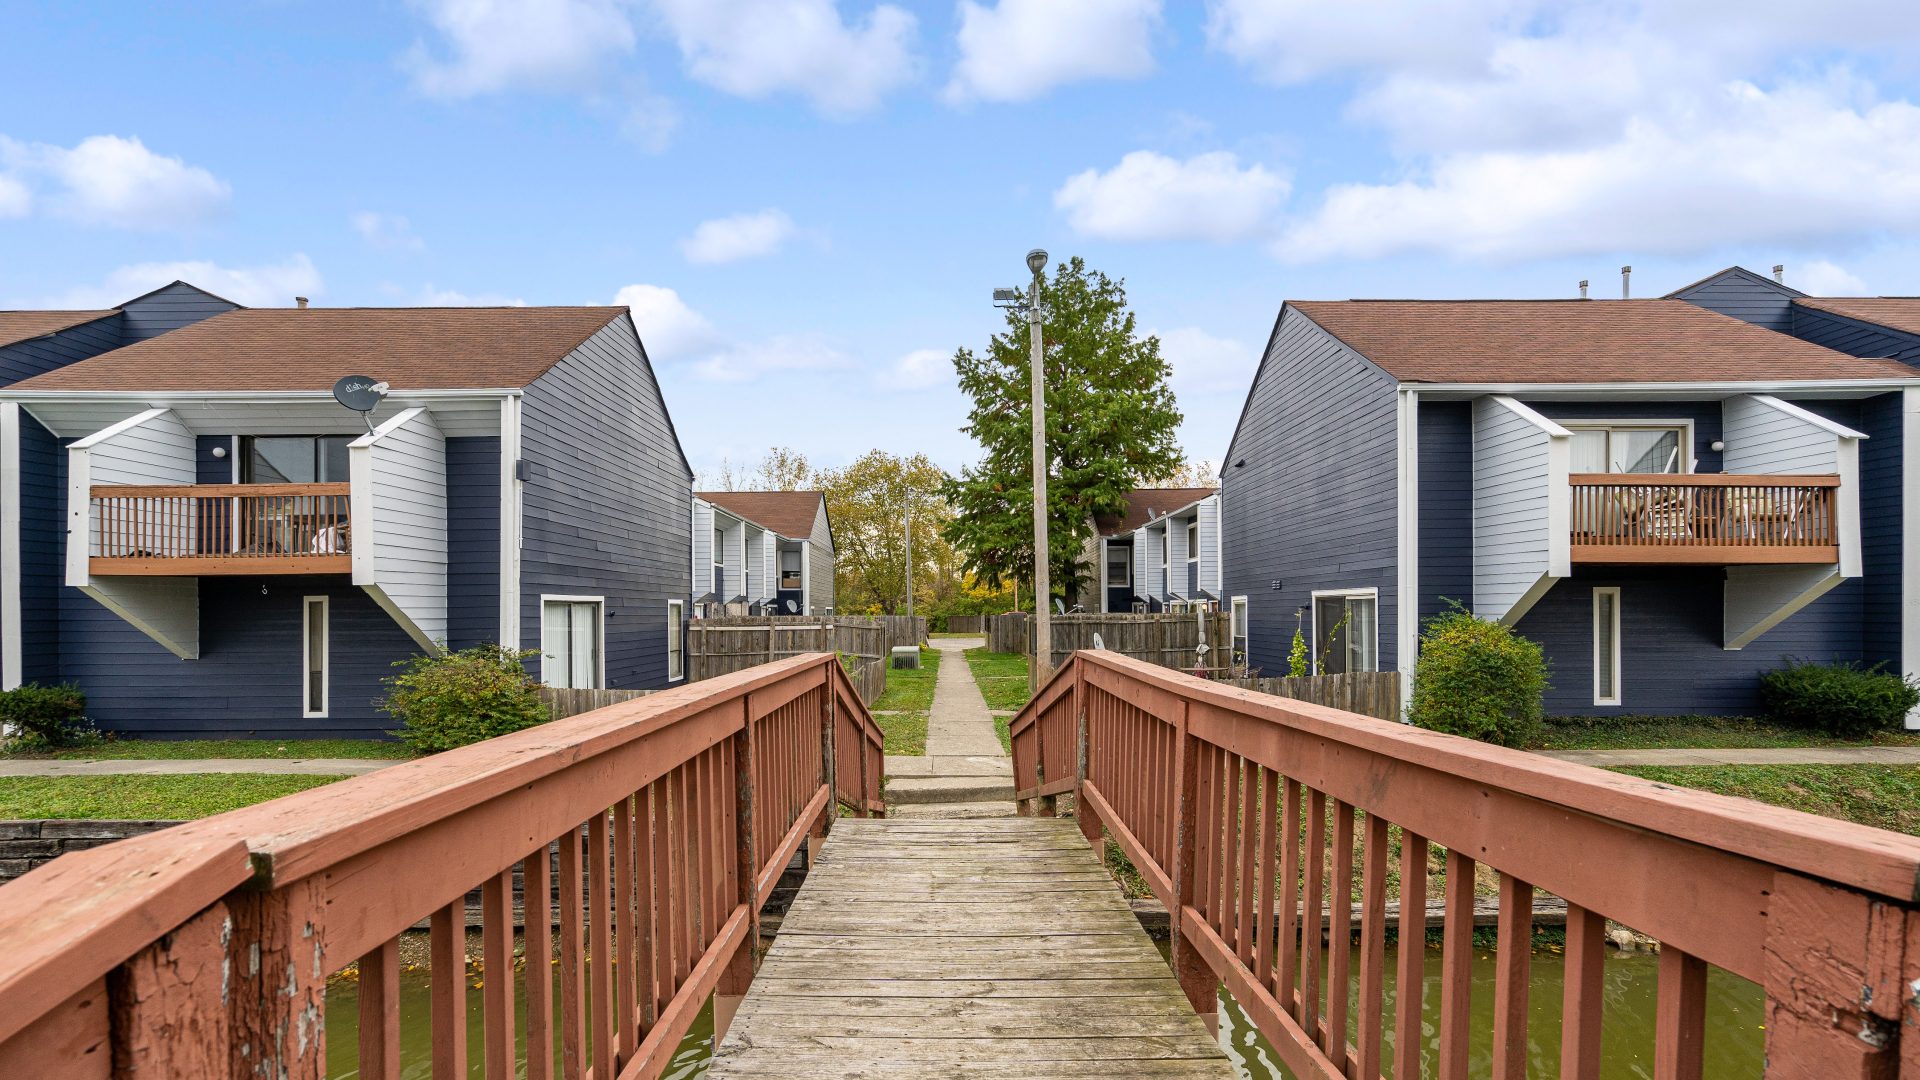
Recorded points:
(293, 349)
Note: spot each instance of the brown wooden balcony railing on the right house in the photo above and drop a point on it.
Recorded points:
(1704, 518)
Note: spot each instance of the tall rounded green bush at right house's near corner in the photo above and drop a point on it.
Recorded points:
(1479, 679)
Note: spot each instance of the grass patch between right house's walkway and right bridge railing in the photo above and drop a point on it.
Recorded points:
(1883, 797)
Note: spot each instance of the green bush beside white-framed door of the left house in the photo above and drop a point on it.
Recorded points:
(464, 699)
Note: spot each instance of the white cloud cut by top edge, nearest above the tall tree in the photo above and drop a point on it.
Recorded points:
(1022, 49)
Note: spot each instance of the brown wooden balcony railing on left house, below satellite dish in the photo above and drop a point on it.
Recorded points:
(220, 529)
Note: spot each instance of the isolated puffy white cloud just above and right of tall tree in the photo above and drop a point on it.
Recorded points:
(1151, 197)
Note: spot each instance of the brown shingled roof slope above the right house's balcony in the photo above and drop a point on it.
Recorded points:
(1577, 341)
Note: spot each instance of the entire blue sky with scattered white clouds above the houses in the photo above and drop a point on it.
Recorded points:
(809, 203)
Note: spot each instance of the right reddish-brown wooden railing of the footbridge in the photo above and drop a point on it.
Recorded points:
(1211, 793)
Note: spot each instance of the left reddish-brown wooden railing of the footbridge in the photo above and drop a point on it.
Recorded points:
(204, 950)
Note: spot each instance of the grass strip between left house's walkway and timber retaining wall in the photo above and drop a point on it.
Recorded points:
(143, 798)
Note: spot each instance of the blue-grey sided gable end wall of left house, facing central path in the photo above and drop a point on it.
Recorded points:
(610, 506)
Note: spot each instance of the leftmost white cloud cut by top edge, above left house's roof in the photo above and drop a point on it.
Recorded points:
(500, 45)
